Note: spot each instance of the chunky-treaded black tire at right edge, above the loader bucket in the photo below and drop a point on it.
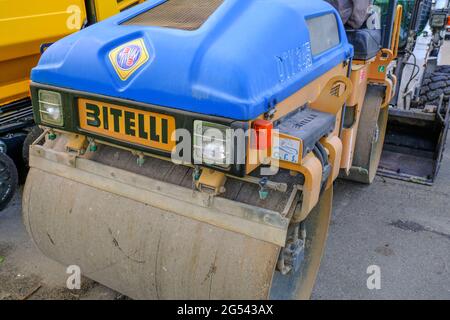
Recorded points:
(434, 85)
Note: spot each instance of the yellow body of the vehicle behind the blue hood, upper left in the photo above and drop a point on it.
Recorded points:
(27, 24)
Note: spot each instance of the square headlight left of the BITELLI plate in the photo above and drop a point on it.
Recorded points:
(50, 107)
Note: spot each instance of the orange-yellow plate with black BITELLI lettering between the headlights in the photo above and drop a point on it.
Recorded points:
(145, 128)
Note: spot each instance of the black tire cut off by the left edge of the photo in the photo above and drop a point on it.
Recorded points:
(8, 180)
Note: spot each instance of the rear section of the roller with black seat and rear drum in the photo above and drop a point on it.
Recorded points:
(373, 28)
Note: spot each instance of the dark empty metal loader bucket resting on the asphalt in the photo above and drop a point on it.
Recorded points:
(415, 144)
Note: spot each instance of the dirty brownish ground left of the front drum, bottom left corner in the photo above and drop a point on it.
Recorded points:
(27, 274)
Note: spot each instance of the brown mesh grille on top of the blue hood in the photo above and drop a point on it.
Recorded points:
(177, 14)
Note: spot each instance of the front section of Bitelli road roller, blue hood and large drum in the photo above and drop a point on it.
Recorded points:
(190, 147)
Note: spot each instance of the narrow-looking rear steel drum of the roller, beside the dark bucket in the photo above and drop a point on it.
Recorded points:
(370, 138)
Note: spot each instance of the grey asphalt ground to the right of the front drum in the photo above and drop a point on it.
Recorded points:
(403, 228)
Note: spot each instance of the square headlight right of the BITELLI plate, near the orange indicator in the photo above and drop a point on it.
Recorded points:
(212, 144)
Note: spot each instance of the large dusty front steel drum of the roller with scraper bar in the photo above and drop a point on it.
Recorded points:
(146, 252)
